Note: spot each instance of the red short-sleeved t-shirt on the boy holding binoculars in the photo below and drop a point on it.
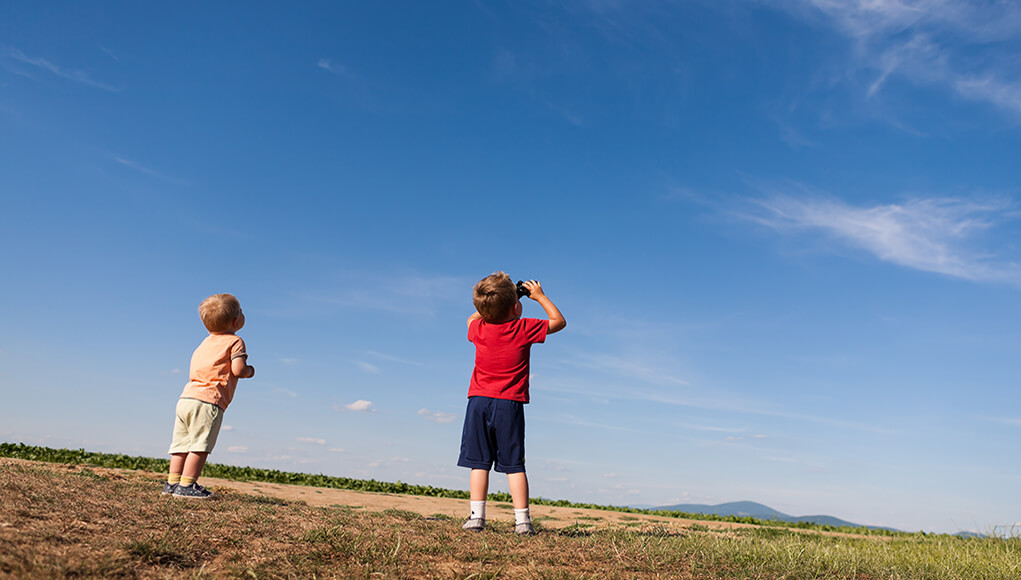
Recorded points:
(502, 357)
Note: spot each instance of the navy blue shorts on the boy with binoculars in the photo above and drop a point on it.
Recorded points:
(495, 431)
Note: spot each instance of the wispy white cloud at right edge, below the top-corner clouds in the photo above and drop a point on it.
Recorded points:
(939, 235)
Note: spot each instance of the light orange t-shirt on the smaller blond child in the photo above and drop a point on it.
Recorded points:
(211, 379)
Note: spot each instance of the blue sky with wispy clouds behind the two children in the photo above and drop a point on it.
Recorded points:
(784, 233)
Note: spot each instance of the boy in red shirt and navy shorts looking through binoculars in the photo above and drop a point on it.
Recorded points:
(495, 422)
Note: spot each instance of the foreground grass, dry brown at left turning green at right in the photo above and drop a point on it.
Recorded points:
(73, 520)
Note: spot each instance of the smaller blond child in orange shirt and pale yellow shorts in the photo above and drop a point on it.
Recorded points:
(216, 367)
